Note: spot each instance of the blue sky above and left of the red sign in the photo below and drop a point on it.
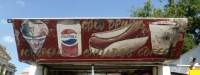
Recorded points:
(57, 9)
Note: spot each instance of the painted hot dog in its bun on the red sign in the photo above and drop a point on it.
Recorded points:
(123, 38)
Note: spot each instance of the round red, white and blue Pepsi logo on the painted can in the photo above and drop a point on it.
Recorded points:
(69, 37)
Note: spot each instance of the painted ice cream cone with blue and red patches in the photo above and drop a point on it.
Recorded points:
(35, 32)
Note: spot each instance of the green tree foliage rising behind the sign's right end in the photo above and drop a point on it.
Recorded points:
(175, 9)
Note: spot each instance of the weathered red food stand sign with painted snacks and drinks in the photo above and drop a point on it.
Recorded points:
(99, 39)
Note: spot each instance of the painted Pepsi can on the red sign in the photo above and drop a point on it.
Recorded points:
(69, 38)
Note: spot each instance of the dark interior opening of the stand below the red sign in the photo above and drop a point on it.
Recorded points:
(67, 69)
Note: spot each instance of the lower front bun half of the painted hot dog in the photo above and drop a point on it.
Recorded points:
(122, 48)
